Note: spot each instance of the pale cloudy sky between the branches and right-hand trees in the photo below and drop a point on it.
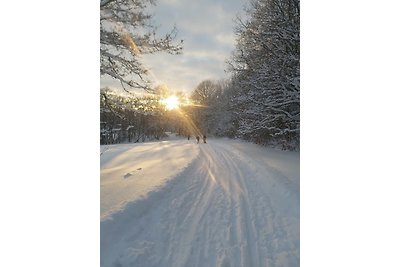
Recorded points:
(207, 30)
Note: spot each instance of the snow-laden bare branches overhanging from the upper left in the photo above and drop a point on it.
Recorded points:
(126, 33)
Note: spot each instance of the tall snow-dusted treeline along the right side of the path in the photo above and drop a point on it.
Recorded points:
(261, 102)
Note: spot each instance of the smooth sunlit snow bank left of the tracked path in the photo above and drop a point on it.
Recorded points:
(130, 171)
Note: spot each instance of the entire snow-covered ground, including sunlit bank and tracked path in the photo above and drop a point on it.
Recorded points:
(177, 203)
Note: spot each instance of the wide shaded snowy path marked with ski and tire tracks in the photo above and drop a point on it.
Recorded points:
(223, 210)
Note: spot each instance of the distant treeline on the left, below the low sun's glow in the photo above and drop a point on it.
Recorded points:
(125, 117)
